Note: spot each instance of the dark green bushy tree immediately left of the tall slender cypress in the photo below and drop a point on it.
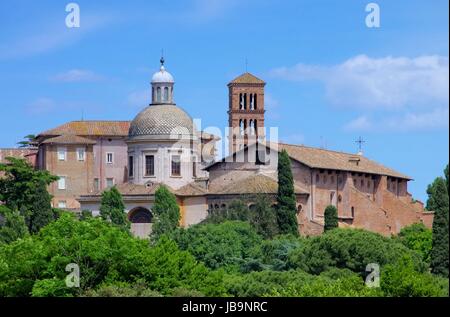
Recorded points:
(263, 217)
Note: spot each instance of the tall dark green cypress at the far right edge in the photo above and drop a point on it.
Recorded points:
(438, 201)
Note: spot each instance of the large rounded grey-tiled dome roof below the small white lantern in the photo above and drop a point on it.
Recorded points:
(161, 120)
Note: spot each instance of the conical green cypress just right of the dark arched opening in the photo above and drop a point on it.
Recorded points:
(167, 212)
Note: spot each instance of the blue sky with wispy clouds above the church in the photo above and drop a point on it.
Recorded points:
(330, 78)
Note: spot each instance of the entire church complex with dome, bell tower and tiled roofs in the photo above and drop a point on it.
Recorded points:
(161, 145)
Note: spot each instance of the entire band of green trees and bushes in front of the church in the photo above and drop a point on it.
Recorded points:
(236, 252)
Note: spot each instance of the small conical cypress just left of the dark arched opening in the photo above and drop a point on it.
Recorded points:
(112, 208)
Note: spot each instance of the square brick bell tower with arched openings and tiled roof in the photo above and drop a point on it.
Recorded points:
(246, 111)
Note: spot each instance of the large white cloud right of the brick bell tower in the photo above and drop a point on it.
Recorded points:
(388, 82)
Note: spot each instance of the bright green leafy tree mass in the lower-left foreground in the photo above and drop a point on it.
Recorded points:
(106, 256)
